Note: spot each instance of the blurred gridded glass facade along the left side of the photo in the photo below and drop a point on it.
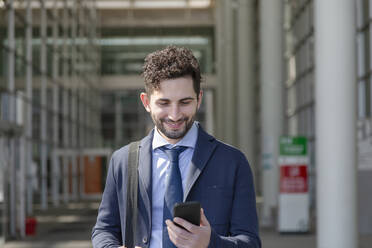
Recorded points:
(49, 70)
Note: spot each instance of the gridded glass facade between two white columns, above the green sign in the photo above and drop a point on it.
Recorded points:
(299, 75)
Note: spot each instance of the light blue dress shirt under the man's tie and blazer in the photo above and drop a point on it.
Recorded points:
(160, 171)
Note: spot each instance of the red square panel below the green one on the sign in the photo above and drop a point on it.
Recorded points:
(293, 179)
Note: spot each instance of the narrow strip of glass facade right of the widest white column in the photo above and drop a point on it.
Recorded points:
(364, 124)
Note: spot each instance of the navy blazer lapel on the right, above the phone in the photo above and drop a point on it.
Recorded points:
(204, 148)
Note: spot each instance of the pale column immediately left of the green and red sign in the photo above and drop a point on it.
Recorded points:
(271, 102)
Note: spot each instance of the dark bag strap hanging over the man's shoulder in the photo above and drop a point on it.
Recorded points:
(132, 189)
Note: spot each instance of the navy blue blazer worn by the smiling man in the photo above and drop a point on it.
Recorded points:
(219, 178)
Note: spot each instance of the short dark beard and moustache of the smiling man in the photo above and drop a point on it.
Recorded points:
(173, 133)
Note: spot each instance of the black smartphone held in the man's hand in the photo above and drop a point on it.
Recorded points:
(189, 211)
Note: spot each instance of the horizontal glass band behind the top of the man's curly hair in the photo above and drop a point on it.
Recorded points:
(125, 55)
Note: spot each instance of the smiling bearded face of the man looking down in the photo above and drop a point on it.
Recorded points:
(173, 107)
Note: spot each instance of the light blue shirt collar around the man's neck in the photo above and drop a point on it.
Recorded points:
(189, 140)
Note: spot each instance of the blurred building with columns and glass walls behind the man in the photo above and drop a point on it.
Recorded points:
(70, 84)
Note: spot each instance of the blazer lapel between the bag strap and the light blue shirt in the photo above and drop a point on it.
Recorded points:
(144, 172)
